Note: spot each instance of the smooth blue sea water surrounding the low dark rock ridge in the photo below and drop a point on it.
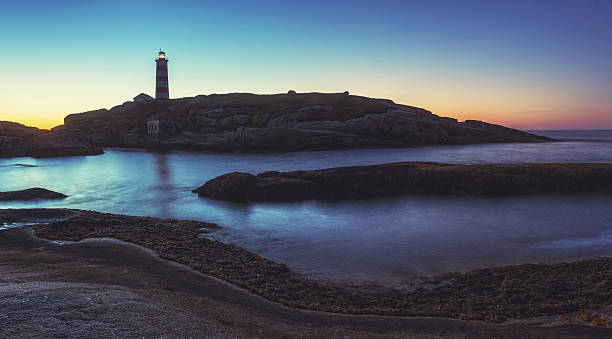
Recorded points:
(359, 240)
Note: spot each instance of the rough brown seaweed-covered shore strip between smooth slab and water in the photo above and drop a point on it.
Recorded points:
(491, 294)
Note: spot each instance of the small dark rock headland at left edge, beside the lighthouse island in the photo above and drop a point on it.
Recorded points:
(17, 140)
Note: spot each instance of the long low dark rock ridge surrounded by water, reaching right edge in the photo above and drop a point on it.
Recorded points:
(411, 178)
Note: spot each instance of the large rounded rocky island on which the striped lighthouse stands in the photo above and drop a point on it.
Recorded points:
(280, 122)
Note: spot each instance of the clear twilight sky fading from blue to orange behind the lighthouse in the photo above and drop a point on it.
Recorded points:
(525, 64)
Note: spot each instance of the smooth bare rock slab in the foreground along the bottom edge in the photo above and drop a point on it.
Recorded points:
(107, 288)
